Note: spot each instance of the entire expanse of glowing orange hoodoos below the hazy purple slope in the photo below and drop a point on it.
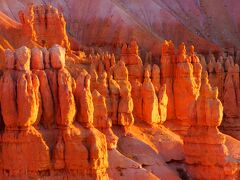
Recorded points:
(101, 115)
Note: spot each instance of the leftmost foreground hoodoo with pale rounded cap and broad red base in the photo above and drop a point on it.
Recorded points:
(20, 105)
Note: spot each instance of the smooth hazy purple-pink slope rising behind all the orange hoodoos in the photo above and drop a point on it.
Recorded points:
(206, 24)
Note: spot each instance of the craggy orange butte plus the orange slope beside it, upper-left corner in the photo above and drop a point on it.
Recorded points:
(38, 26)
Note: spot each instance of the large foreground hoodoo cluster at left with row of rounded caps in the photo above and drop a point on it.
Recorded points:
(28, 101)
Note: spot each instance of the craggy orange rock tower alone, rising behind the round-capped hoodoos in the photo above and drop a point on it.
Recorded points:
(46, 25)
